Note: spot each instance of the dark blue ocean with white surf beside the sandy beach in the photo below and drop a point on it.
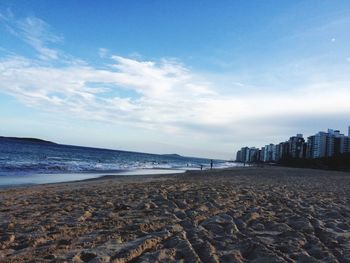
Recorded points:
(35, 162)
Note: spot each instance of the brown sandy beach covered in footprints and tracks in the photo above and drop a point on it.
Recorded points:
(265, 214)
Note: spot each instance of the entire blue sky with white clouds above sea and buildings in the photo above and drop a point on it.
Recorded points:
(197, 78)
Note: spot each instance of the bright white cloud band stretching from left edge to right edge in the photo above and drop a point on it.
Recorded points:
(164, 95)
